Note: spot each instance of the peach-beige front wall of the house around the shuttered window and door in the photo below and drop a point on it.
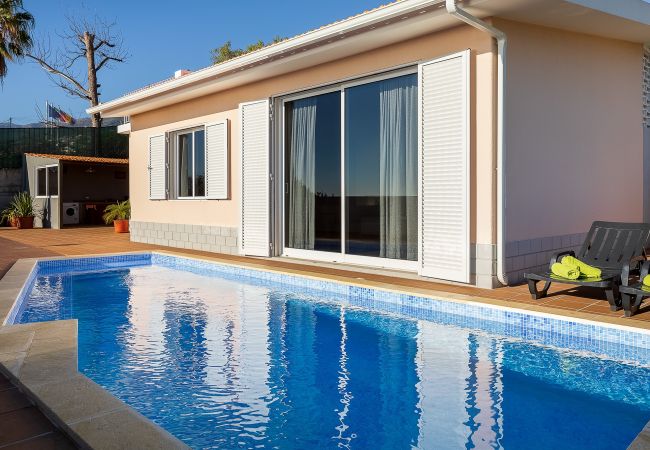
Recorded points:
(225, 105)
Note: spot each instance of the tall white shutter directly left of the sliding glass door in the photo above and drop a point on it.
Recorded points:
(255, 214)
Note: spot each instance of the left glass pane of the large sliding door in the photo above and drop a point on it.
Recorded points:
(313, 173)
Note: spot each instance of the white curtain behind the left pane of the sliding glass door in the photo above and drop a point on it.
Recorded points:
(302, 173)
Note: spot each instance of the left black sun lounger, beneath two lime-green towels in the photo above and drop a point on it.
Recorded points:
(615, 248)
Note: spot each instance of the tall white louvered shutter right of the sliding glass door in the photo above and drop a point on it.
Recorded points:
(444, 168)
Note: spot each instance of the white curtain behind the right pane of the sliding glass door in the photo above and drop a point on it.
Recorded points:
(398, 168)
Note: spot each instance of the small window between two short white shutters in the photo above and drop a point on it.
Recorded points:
(190, 164)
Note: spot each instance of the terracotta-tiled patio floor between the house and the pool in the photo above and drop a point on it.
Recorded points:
(562, 299)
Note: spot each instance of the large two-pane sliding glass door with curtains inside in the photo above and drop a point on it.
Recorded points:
(351, 174)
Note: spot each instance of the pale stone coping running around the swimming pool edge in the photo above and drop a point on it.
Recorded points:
(113, 426)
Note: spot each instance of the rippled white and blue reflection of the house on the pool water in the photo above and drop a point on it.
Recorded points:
(267, 367)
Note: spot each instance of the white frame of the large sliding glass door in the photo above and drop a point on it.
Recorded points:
(319, 255)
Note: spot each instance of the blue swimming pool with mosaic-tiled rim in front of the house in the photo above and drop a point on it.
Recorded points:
(225, 357)
